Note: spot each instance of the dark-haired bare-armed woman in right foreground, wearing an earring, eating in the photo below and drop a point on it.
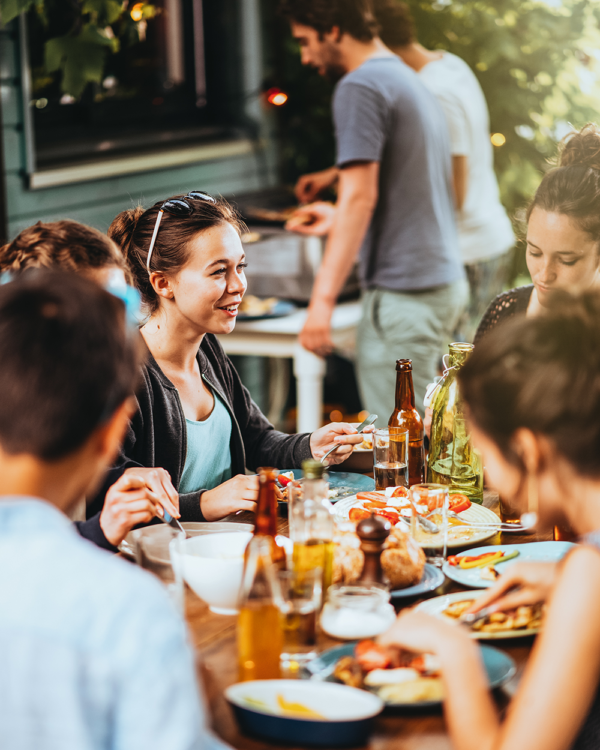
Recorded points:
(532, 391)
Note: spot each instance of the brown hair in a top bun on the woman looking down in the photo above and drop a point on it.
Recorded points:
(573, 187)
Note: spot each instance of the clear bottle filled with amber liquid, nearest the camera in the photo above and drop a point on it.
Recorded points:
(259, 631)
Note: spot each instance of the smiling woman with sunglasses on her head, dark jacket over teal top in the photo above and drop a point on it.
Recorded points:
(194, 417)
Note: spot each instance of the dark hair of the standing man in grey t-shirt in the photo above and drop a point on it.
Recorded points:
(352, 17)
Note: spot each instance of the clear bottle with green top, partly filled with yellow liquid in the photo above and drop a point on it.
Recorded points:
(313, 524)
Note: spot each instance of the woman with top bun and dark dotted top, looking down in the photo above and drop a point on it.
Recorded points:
(563, 233)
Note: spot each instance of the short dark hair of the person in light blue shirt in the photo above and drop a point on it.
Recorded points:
(66, 362)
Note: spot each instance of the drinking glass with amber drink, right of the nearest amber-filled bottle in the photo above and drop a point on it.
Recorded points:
(298, 597)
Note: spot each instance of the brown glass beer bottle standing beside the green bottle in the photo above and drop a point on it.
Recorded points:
(406, 416)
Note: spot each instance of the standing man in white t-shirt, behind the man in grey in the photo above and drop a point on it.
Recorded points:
(485, 231)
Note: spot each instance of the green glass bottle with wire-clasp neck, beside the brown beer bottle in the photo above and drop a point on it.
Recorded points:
(452, 460)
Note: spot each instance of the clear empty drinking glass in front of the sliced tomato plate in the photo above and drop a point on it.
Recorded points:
(425, 499)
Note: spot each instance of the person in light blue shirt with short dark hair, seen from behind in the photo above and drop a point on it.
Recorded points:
(93, 655)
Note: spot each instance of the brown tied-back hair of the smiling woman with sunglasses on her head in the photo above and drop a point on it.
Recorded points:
(132, 230)
